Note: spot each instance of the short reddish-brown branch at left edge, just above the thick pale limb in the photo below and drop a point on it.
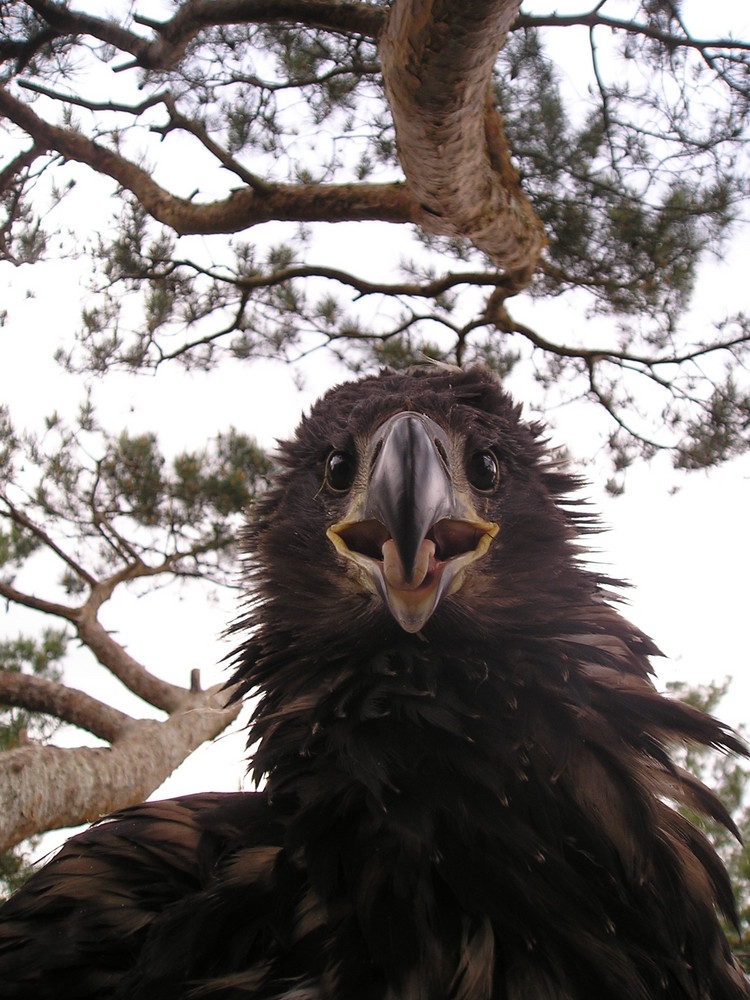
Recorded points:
(38, 694)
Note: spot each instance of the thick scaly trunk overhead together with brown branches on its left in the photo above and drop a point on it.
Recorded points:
(437, 64)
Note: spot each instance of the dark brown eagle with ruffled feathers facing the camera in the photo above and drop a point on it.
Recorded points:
(467, 783)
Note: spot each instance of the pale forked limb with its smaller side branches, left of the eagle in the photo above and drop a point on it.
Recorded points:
(45, 787)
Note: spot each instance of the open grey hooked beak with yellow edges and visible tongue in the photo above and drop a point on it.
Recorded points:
(411, 534)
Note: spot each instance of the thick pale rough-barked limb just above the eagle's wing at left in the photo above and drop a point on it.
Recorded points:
(46, 788)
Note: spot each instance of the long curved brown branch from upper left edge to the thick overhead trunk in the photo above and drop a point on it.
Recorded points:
(241, 209)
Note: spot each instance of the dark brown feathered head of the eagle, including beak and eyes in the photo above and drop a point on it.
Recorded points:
(414, 498)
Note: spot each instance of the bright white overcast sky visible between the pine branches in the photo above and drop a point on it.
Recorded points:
(687, 553)
